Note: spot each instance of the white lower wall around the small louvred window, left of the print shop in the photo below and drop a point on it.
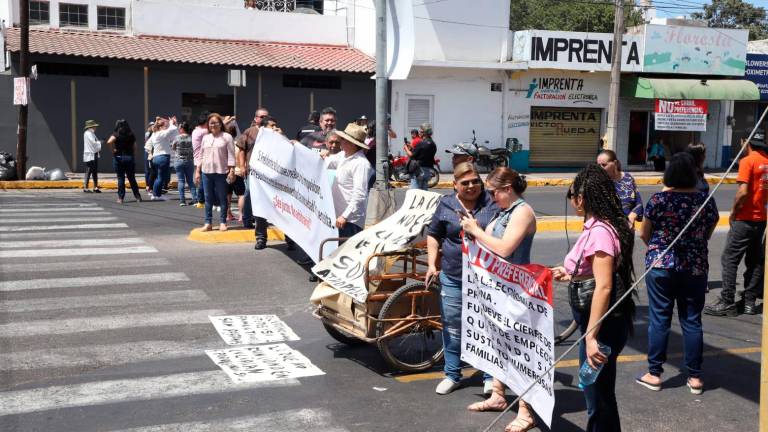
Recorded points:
(462, 101)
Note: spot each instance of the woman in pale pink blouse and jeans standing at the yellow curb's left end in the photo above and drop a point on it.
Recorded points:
(216, 166)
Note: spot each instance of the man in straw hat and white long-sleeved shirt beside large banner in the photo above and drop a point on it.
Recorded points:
(350, 187)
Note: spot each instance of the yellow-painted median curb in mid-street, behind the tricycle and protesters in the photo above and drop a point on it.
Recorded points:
(242, 235)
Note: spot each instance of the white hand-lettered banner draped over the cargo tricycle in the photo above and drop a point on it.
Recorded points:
(344, 270)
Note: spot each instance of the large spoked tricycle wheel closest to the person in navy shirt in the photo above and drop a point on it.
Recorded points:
(411, 338)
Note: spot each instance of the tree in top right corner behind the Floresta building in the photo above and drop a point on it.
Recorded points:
(735, 14)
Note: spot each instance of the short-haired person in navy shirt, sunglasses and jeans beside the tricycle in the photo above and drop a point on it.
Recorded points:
(444, 241)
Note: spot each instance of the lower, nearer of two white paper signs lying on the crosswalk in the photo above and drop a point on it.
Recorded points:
(263, 363)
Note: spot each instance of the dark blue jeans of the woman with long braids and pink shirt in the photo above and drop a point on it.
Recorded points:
(602, 408)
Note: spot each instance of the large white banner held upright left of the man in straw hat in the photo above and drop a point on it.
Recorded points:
(289, 187)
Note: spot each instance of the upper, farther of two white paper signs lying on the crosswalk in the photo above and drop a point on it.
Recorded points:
(252, 329)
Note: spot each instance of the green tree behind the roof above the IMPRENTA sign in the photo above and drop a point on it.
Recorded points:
(570, 15)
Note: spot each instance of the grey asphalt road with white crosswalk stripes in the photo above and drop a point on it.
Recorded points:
(94, 338)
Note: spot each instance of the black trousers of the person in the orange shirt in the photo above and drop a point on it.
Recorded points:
(745, 240)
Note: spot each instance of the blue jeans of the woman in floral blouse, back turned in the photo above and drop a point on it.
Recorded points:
(665, 288)
